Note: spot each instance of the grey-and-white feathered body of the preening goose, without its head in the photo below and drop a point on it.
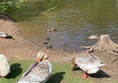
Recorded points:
(38, 72)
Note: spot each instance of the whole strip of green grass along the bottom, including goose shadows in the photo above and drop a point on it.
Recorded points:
(61, 74)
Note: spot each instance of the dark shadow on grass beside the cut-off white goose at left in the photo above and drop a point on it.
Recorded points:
(15, 71)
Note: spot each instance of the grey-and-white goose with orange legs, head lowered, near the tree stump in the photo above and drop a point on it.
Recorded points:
(88, 62)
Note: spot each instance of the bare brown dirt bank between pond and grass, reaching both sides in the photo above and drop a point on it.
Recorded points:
(20, 49)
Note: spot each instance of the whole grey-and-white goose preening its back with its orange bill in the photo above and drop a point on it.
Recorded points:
(39, 72)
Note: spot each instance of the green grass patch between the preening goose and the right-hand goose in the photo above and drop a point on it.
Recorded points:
(62, 73)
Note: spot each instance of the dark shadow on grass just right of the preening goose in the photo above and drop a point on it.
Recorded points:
(56, 78)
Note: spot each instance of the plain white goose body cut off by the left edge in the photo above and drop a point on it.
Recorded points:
(4, 66)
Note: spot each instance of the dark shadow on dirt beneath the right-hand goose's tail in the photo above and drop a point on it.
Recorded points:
(100, 74)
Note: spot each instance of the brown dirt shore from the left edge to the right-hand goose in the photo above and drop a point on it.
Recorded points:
(21, 49)
